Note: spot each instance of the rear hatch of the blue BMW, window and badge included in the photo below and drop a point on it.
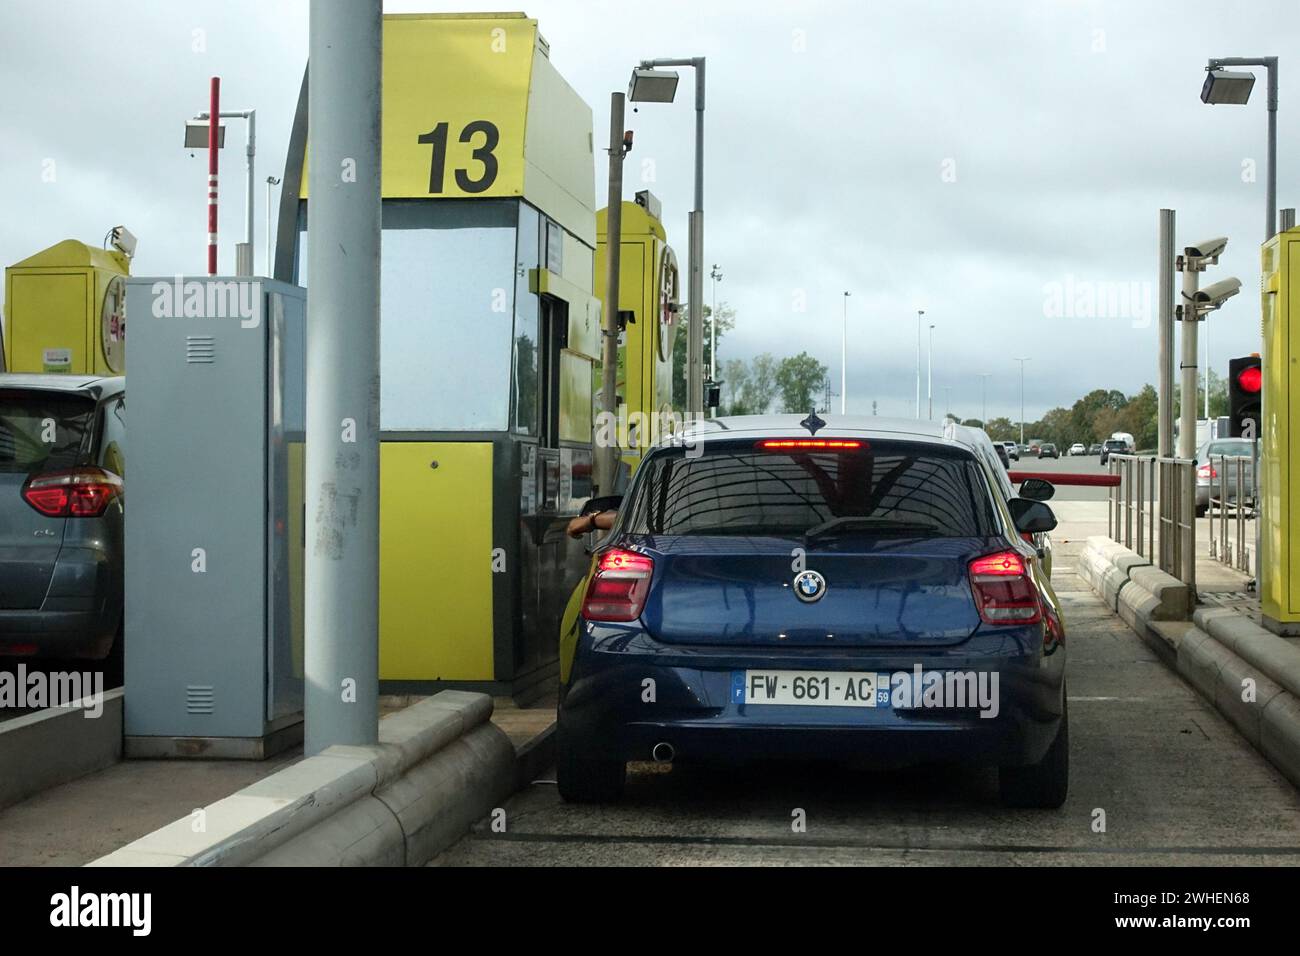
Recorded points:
(889, 531)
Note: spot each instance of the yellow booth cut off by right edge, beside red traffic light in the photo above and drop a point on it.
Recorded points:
(1279, 561)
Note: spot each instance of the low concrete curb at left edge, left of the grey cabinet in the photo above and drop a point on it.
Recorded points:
(57, 746)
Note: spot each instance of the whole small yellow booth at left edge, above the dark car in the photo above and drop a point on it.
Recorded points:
(66, 312)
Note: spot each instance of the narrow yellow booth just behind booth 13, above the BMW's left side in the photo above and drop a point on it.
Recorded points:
(649, 299)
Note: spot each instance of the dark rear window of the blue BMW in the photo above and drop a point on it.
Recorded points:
(889, 488)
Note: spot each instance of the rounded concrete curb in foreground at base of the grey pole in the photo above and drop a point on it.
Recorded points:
(439, 767)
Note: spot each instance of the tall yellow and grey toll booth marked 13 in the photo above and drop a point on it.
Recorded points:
(489, 348)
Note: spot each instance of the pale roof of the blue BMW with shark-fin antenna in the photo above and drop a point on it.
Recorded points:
(729, 427)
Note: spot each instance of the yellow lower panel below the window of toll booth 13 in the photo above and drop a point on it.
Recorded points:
(436, 602)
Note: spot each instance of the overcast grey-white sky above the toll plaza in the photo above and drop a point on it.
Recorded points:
(995, 163)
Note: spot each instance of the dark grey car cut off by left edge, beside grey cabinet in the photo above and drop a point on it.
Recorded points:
(63, 444)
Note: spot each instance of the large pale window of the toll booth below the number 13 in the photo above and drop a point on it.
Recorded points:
(447, 314)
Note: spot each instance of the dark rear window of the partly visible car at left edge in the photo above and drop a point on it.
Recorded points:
(44, 431)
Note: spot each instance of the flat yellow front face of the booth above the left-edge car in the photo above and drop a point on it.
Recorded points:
(51, 334)
